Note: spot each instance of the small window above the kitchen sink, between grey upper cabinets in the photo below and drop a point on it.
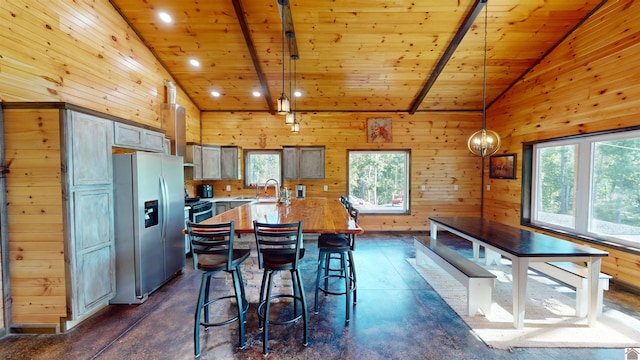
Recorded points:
(262, 165)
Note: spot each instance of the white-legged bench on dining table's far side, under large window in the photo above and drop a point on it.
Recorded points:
(576, 276)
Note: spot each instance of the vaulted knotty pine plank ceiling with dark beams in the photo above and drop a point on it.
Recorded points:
(354, 55)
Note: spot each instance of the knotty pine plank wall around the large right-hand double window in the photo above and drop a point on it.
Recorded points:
(591, 82)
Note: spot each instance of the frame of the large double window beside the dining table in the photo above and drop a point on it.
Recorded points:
(583, 192)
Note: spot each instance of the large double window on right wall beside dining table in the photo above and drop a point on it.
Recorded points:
(587, 185)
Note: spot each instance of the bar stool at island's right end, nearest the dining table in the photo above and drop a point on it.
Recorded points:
(342, 245)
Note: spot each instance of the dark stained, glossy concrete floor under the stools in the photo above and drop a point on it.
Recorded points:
(398, 316)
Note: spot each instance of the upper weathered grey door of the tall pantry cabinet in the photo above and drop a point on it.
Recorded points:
(90, 138)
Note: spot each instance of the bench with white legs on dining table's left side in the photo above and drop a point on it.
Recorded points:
(475, 278)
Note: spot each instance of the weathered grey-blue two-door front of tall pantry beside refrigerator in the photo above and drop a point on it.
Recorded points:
(89, 213)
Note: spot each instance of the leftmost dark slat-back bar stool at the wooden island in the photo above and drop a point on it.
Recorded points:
(213, 245)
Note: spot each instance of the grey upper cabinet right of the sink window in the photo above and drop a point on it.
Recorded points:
(303, 162)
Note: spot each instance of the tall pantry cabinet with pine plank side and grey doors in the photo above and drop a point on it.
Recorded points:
(60, 214)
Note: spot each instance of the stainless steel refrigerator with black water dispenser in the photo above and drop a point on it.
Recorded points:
(149, 214)
